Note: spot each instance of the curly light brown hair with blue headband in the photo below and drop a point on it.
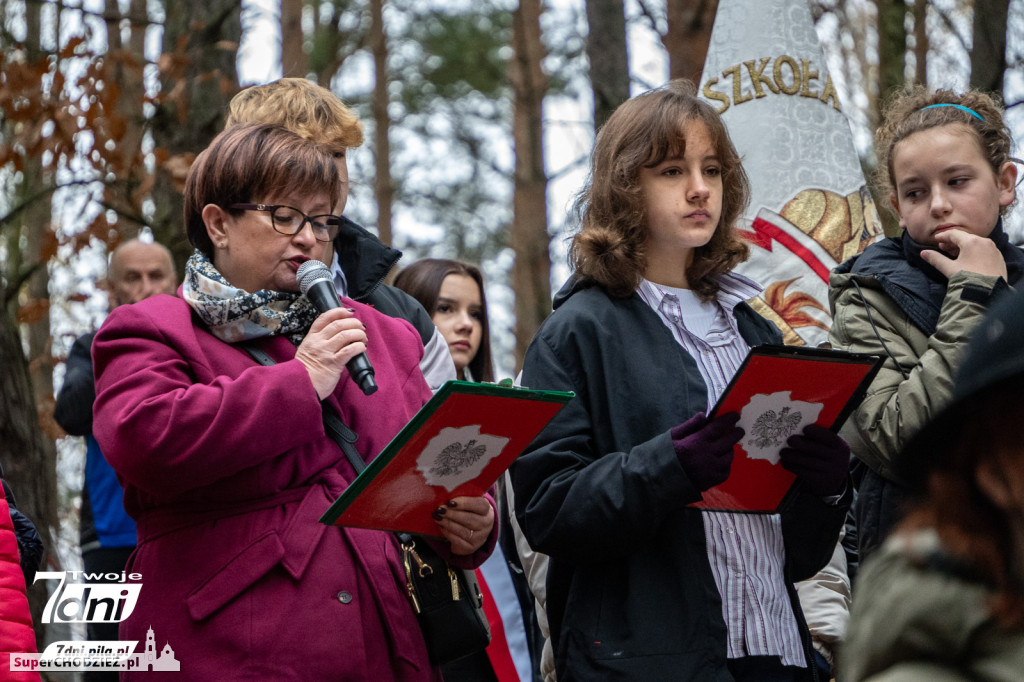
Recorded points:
(906, 114)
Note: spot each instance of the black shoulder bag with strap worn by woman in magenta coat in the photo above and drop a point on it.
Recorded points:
(448, 602)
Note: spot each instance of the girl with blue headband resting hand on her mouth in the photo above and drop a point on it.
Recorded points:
(945, 163)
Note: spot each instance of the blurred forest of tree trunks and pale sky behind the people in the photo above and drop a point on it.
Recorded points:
(480, 118)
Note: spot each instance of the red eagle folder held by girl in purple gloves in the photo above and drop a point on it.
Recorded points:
(779, 391)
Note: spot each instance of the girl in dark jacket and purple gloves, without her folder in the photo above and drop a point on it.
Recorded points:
(648, 333)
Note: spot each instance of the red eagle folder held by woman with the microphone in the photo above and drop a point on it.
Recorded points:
(457, 445)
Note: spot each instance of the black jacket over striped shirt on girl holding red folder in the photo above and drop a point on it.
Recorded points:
(631, 594)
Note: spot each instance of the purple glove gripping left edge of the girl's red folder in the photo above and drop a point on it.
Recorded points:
(705, 448)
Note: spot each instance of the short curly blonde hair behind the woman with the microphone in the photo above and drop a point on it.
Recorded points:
(303, 107)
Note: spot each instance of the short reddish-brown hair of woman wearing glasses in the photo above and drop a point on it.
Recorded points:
(253, 163)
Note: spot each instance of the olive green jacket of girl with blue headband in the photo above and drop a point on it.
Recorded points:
(916, 381)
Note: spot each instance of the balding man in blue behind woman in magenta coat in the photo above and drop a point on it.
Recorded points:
(138, 271)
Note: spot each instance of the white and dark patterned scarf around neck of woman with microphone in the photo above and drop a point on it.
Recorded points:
(236, 316)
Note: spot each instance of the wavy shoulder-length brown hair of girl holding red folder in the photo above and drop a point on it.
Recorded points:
(610, 248)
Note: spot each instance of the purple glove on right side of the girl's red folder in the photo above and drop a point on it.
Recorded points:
(821, 458)
